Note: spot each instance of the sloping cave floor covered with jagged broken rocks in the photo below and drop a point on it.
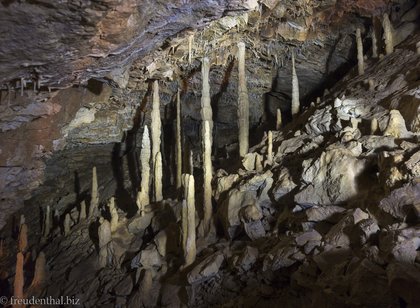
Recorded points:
(330, 220)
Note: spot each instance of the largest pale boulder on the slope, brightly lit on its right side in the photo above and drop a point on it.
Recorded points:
(330, 179)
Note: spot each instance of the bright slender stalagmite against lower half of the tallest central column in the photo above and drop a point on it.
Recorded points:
(207, 166)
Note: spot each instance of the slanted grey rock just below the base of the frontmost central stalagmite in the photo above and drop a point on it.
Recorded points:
(206, 269)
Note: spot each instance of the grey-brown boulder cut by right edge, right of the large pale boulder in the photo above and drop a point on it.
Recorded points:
(400, 203)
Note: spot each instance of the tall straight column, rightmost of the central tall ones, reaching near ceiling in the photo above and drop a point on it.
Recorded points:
(243, 103)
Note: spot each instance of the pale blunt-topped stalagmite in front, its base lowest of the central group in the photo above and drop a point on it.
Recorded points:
(188, 221)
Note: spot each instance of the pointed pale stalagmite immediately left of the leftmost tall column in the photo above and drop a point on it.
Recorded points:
(143, 194)
